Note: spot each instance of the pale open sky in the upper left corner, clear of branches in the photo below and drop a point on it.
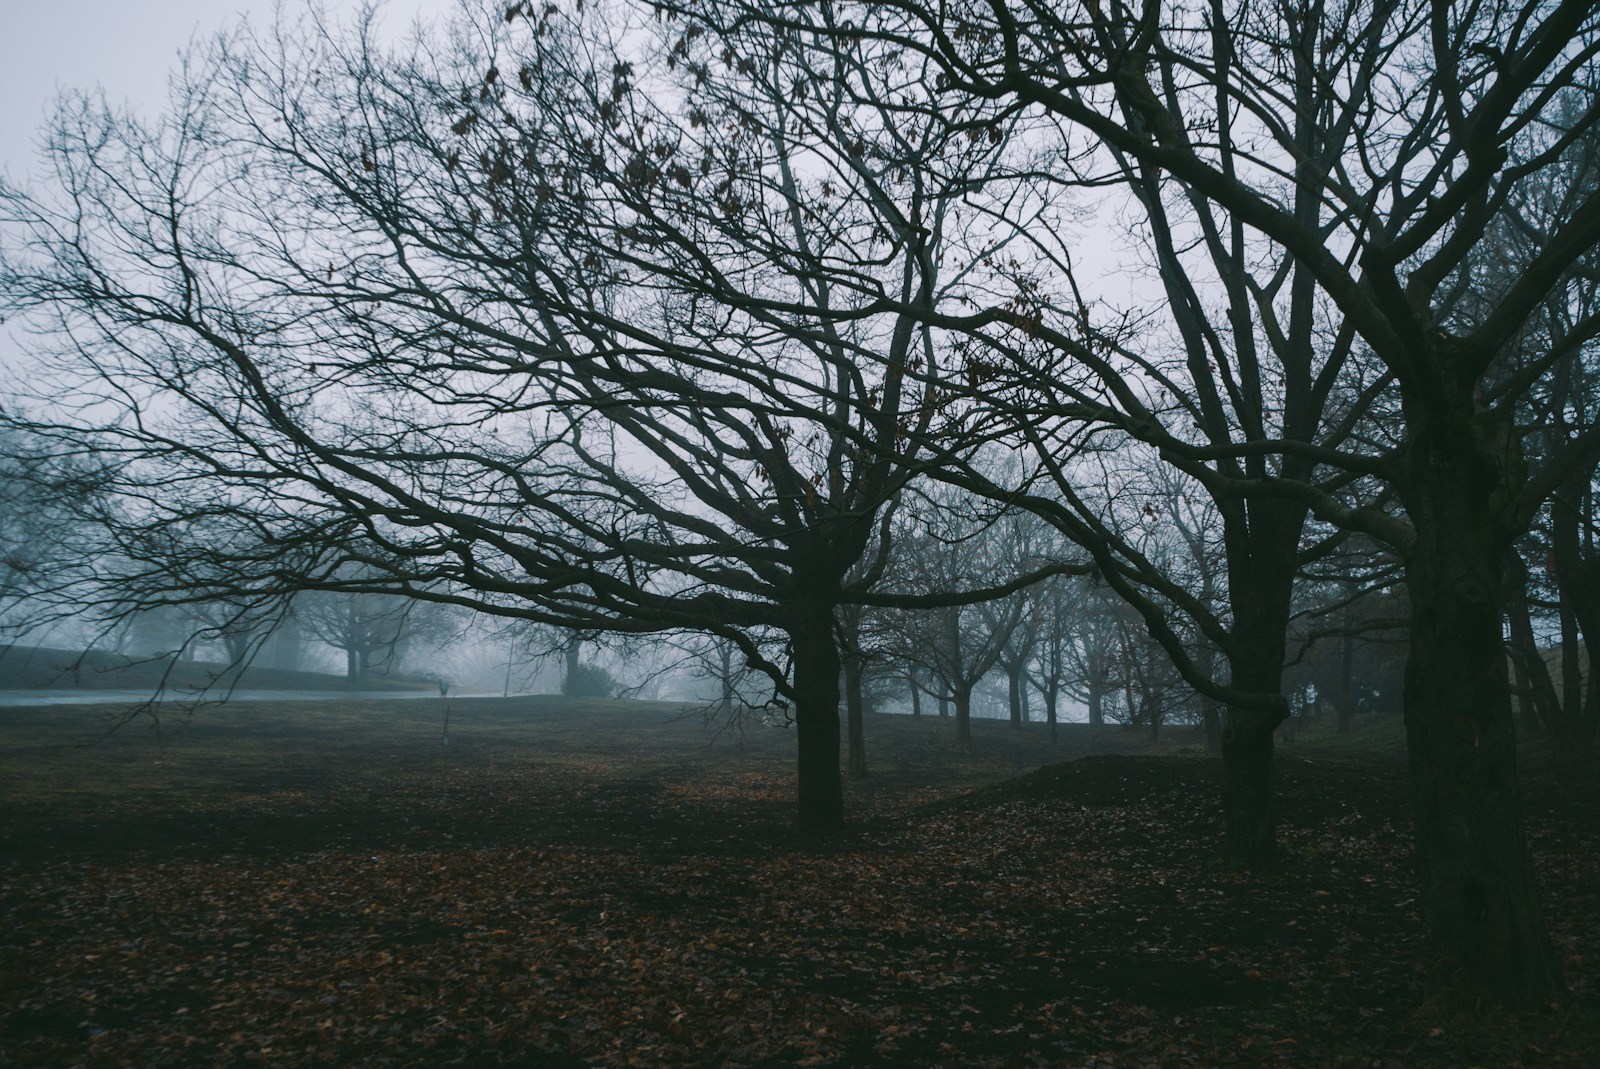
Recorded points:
(126, 47)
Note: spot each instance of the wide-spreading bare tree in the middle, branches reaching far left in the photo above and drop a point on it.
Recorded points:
(609, 337)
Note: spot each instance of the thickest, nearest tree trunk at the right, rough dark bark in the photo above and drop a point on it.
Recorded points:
(1487, 937)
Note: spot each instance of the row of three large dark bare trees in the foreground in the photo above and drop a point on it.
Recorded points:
(652, 319)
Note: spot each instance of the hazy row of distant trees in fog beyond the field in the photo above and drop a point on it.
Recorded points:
(1063, 641)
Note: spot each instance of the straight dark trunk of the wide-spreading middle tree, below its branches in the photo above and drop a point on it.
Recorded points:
(817, 721)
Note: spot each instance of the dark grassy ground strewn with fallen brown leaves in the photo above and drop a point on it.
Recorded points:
(606, 884)
